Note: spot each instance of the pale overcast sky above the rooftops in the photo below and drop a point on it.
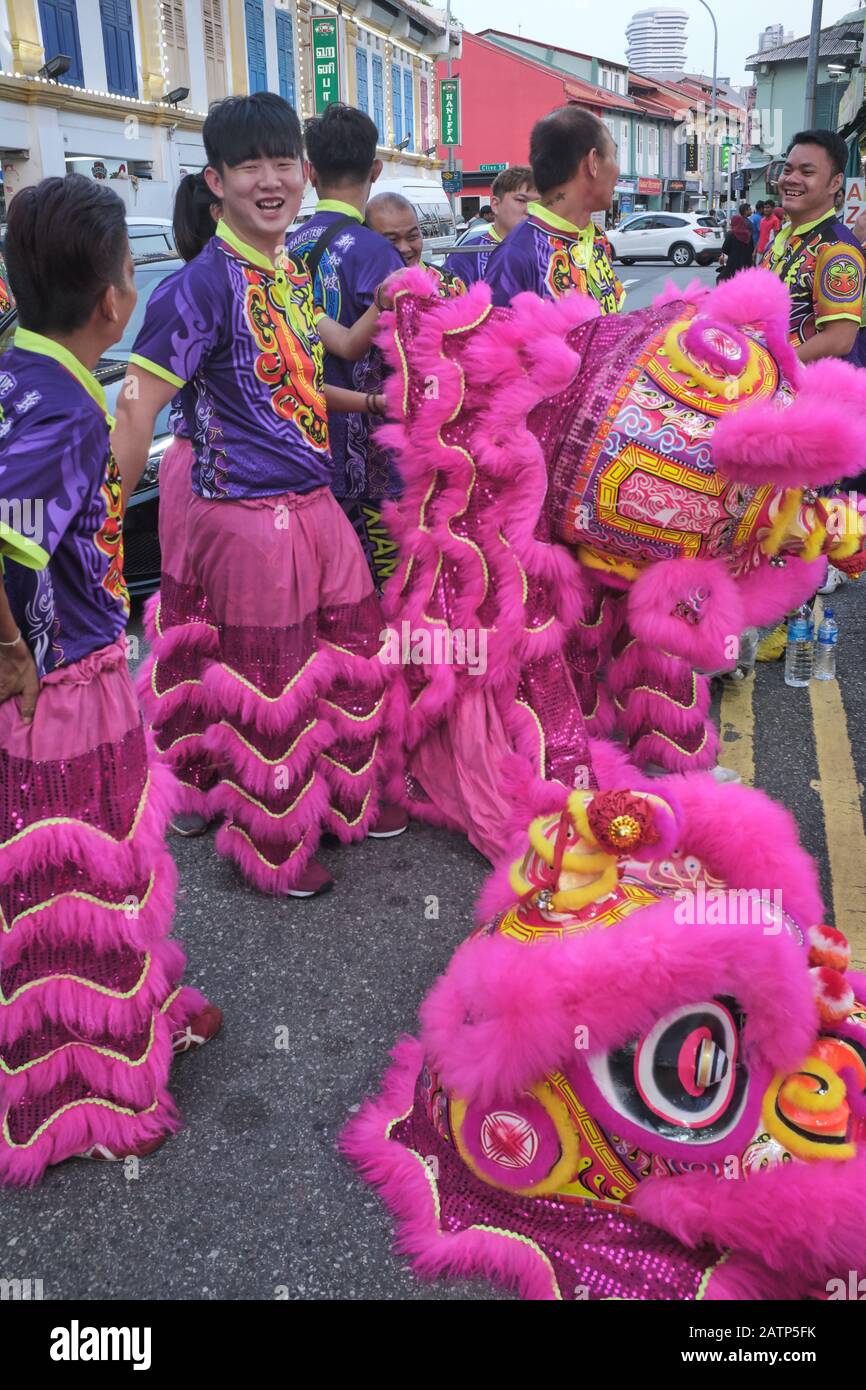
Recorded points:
(598, 27)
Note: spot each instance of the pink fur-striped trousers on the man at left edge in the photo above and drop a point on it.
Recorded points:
(87, 968)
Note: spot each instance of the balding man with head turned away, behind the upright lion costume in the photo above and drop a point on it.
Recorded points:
(558, 248)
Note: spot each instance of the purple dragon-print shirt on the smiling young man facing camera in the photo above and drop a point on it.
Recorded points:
(243, 338)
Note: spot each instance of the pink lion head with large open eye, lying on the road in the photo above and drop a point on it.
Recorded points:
(644, 1077)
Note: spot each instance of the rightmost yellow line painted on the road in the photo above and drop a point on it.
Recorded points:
(840, 794)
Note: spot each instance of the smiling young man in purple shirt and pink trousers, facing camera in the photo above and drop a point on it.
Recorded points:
(294, 686)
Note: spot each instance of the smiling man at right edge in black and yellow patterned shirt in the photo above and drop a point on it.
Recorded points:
(819, 261)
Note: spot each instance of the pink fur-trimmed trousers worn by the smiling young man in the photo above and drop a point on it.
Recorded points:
(295, 692)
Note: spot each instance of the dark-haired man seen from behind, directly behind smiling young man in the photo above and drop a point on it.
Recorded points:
(348, 263)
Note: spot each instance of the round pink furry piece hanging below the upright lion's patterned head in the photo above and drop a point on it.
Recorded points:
(661, 587)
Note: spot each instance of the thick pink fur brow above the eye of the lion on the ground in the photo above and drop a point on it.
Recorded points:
(504, 1015)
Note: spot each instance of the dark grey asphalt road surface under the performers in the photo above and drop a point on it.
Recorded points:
(252, 1202)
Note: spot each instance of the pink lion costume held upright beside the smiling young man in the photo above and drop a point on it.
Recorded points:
(630, 490)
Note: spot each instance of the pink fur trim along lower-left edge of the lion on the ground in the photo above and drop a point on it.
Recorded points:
(407, 1189)
